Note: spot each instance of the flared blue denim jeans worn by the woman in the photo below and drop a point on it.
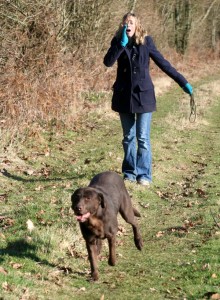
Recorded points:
(137, 163)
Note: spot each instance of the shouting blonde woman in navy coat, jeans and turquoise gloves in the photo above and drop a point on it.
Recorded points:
(134, 96)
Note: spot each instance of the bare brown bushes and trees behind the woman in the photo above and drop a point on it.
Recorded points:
(52, 51)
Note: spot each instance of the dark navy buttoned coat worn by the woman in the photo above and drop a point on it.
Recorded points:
(133, 90)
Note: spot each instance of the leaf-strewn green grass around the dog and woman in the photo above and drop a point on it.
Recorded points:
(180, 212)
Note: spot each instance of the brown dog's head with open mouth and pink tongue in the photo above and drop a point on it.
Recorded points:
(86, 202)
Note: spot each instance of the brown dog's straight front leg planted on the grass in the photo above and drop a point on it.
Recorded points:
(92, 255)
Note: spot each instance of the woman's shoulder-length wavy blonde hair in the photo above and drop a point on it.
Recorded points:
(140, 32)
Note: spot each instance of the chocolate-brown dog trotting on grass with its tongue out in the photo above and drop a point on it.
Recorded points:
(96, 208)
